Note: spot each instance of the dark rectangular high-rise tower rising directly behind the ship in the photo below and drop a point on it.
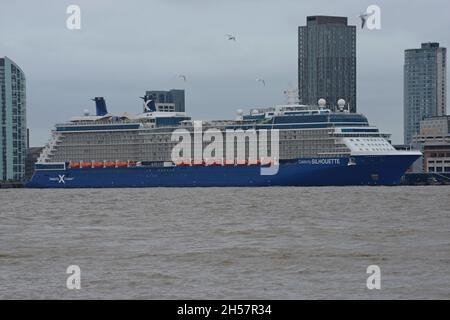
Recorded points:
(327, 61)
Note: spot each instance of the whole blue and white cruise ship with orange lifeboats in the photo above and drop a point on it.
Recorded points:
(306, 146)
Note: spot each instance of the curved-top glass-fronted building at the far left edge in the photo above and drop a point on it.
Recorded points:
(13, 127)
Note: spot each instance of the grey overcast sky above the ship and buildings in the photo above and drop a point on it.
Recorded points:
(127, 47)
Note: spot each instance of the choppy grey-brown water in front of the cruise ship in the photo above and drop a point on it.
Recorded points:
(233, 243)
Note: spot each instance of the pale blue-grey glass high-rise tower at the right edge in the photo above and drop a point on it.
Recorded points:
(424, 86)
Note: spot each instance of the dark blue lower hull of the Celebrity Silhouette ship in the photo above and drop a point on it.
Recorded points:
(360, 170)
